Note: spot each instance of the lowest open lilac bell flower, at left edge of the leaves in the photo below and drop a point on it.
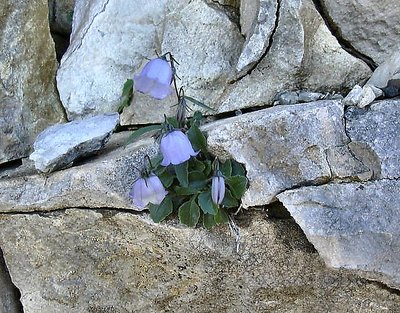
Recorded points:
(147, 190)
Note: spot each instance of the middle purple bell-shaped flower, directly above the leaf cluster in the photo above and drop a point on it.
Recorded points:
(176, 148)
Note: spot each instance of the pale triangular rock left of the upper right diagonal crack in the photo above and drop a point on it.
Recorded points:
(306, 63)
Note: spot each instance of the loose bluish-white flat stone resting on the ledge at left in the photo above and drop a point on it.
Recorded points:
(60, 145)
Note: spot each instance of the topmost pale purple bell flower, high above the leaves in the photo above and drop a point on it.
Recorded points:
(155, 79)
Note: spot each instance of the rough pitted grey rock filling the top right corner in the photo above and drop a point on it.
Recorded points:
(370, 29)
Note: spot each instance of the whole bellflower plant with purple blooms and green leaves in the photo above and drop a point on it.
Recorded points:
(184, 177)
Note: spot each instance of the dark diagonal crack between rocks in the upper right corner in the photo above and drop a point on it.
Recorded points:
(337, 33)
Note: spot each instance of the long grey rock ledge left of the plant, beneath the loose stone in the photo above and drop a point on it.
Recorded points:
(102, 181)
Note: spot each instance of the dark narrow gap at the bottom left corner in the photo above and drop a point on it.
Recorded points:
(9, 294)
